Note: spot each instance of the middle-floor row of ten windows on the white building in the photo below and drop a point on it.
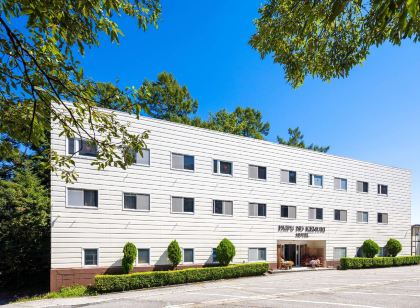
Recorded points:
(141, 202)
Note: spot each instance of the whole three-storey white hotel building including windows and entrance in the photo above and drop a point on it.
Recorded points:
(199, 186)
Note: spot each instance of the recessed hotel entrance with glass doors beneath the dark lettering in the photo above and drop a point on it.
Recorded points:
(301, 253)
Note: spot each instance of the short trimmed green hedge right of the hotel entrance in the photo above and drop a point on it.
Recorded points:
(355, 263)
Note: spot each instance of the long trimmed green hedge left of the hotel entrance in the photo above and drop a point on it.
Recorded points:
(112, 283)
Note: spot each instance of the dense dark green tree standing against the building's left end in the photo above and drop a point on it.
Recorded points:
(24, 230)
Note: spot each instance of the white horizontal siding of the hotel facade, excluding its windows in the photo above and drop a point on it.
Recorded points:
(109, 227)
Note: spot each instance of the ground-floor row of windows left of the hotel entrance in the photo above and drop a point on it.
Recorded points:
(91, 255)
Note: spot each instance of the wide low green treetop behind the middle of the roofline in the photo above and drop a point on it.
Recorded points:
(242, 121)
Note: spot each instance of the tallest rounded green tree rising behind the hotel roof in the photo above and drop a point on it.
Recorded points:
(166, 99)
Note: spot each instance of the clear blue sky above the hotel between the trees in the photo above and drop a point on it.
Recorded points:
(373, 115)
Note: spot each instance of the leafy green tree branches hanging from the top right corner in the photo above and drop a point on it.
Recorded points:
(328, 38)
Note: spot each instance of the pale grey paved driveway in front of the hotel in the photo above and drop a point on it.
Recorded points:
(388, 287)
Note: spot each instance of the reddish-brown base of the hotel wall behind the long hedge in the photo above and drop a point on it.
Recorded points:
(64, 277)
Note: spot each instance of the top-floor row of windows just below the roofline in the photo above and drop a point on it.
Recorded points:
(187, 162)
